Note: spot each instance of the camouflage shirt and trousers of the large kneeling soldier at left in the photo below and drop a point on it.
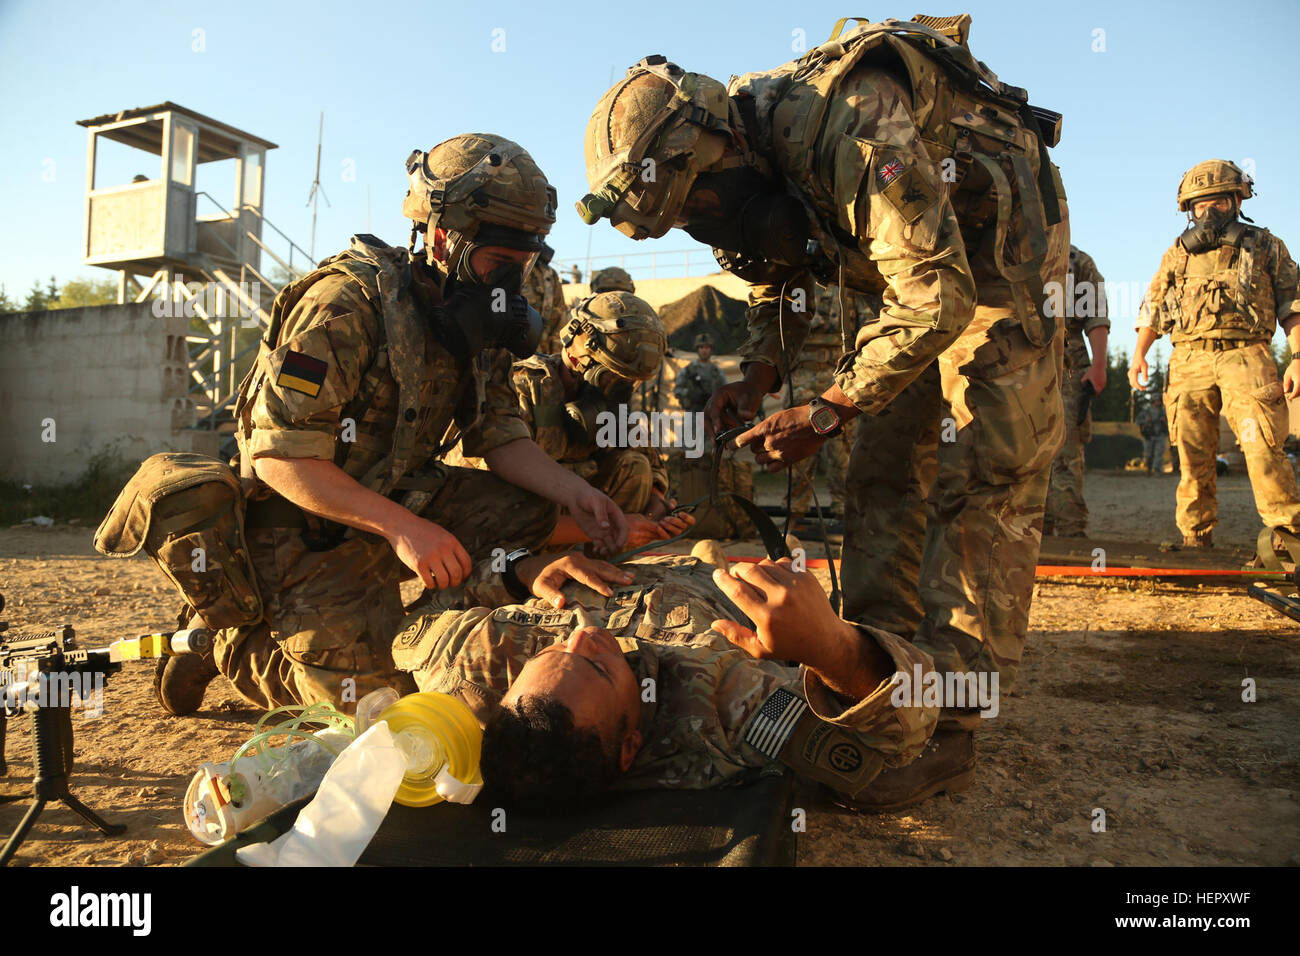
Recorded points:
(332, 595)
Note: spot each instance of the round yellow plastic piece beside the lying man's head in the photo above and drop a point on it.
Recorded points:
(443, 743)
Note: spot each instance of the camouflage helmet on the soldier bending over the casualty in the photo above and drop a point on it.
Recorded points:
(649, 137)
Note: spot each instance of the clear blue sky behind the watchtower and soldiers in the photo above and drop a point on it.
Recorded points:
(1176, 84)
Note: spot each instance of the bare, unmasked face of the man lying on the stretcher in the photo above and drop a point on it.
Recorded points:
(591, 677)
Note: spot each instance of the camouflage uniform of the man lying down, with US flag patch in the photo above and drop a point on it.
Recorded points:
(697, 729)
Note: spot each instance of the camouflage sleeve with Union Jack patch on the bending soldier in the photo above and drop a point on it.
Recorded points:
(892, 198)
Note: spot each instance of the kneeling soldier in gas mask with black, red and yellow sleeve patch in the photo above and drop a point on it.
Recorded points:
(372, 365)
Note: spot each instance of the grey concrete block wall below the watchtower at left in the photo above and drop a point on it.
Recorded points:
(110, 378)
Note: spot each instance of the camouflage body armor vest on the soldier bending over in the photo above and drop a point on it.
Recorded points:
(989, 142)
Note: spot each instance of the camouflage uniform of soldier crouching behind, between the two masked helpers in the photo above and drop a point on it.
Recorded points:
(627, 475)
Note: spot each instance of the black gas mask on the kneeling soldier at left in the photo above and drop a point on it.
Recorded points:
(492, 314)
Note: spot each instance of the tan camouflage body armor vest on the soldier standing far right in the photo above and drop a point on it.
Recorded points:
(1221, 293)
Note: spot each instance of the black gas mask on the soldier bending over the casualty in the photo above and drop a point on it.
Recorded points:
(746, 213)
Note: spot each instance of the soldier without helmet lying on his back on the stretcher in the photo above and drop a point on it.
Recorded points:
(661, 671)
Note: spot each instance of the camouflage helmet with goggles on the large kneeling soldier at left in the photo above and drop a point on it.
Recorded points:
(483, 189)
